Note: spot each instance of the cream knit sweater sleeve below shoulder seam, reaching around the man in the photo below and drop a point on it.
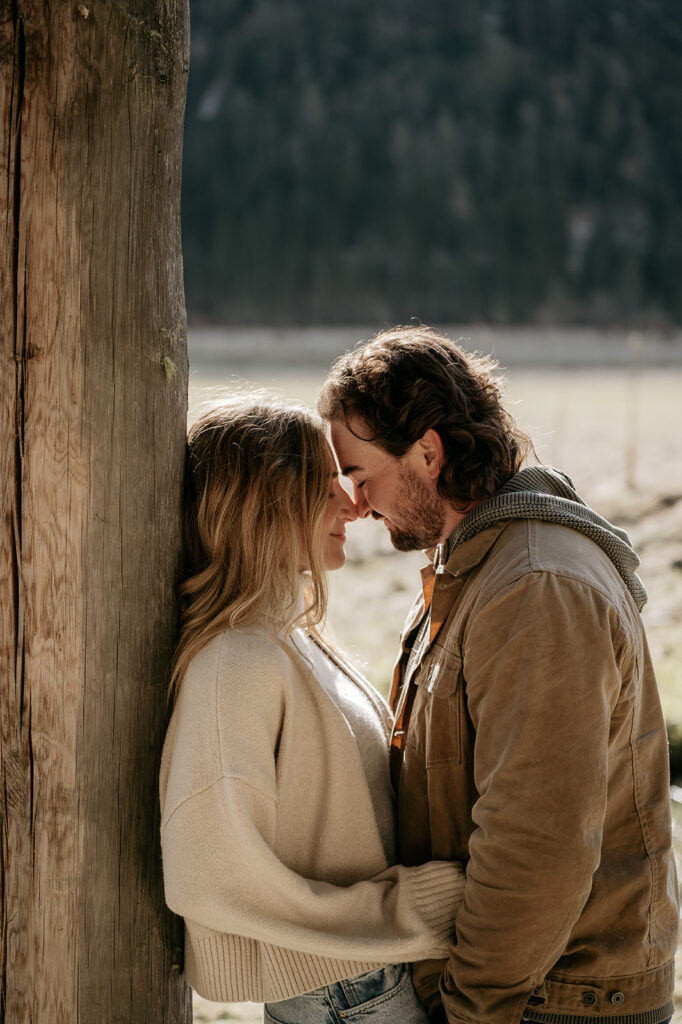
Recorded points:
(221, 871)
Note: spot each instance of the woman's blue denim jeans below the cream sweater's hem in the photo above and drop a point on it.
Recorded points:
(383, 997)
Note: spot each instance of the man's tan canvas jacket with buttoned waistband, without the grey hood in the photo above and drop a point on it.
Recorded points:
(536, 752)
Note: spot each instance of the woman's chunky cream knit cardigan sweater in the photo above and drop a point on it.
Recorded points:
(271, 847)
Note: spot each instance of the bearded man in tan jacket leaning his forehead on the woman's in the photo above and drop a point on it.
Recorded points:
(530, 740)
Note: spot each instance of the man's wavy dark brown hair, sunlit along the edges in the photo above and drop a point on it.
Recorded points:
(410, 379)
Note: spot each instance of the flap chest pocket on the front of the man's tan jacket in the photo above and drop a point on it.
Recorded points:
(436, 722)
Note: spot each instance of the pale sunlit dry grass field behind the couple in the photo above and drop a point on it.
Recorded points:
(616, 433)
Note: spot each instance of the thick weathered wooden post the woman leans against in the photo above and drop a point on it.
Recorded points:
(94, 377)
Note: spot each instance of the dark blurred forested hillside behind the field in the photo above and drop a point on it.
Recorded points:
(500, 161)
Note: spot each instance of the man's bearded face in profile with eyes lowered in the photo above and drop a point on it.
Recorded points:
(401, 492)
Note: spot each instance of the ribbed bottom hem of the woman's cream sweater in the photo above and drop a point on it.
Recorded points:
(231, 969)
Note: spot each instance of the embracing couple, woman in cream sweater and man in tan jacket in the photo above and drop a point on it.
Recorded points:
(495, 847)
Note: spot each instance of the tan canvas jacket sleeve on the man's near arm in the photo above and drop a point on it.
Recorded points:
(541, 666)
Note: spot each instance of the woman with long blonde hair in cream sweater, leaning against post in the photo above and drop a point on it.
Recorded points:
(277, 809)
